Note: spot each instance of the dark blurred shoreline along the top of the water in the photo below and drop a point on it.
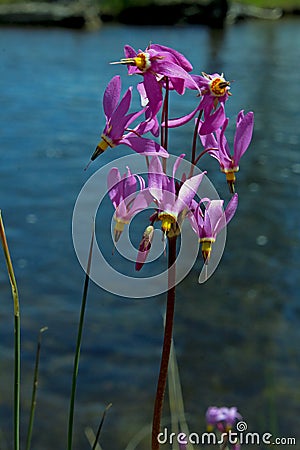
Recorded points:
(78, 15)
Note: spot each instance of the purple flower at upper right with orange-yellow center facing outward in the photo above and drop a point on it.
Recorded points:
(214, 93)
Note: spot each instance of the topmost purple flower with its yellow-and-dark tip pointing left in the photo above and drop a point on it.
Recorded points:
(155, 63)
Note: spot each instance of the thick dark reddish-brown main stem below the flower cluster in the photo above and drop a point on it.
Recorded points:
(165, 356)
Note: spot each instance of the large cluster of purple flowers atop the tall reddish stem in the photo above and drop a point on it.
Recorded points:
(162, 70)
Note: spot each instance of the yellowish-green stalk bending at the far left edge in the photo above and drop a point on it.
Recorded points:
(17, 335)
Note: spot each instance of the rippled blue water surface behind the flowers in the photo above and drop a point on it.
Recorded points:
(237, 335)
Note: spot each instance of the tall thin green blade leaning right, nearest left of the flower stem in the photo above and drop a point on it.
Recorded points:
(78, 347)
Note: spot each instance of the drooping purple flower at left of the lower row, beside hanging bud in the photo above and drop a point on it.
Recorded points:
(125, 198)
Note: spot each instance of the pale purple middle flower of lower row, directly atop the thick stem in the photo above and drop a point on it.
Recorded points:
(172, 202)
